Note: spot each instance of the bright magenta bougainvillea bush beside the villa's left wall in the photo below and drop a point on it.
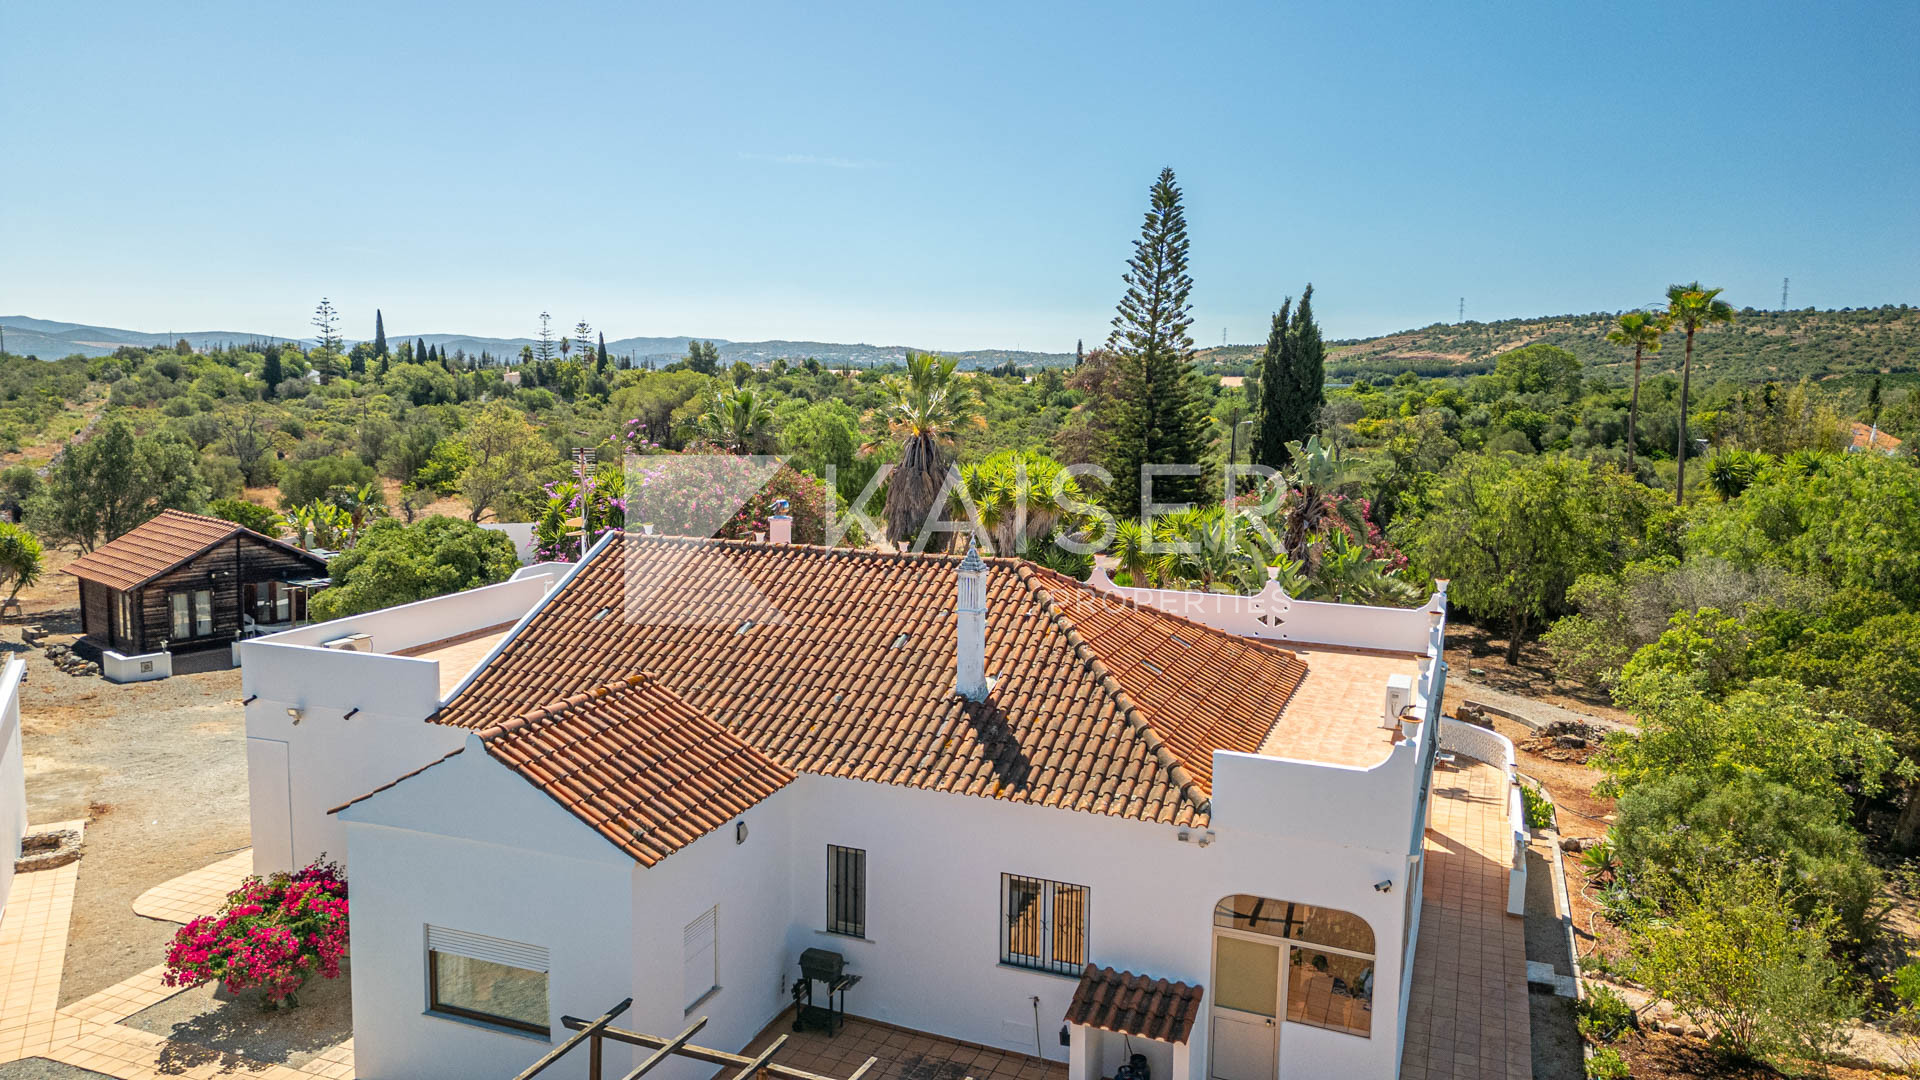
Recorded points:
(274, 935)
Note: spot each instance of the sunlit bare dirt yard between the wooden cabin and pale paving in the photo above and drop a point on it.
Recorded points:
(158, 770)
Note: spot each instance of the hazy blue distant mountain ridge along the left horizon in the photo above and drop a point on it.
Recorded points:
(51, 341)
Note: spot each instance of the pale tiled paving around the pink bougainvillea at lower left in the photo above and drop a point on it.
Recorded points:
(89, 1035)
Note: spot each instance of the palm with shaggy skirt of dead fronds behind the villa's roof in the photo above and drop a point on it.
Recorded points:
(926, 408)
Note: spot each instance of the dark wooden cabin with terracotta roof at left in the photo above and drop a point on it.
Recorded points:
(183, 583)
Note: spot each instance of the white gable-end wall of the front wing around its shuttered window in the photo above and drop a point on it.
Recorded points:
(471, 847)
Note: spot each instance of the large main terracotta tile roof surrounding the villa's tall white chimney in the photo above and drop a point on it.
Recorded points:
(842, 662)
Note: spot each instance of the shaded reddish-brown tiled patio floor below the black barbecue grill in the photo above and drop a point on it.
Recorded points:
(903, 1054)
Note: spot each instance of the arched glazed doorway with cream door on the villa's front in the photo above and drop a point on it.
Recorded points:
(1276, 960)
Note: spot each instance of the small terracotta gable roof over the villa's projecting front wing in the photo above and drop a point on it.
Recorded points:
(635, 762)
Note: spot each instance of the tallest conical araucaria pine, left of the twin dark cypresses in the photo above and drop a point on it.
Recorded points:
(1157, 416)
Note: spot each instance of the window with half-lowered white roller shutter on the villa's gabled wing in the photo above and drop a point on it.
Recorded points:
(487, 979)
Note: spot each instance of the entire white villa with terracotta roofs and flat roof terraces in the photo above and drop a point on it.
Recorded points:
(1074, 822)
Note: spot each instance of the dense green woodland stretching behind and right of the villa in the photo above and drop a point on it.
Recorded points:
(1760, 612)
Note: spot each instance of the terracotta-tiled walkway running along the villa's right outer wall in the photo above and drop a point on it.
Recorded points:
(1468, 1018)
